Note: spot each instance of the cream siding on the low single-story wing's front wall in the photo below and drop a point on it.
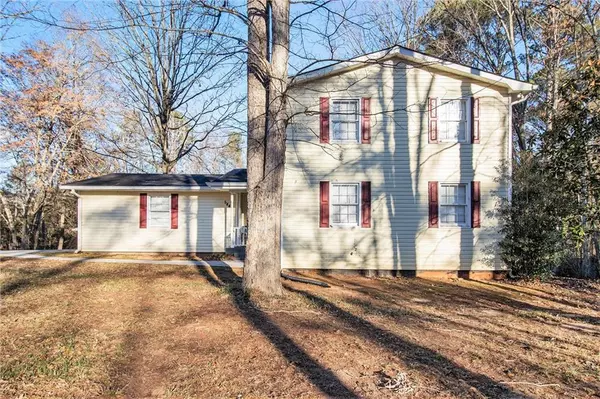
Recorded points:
(110, 221)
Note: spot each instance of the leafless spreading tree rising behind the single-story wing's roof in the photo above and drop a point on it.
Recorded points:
(179, 77)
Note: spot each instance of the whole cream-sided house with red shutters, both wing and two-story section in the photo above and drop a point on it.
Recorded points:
(393, 163)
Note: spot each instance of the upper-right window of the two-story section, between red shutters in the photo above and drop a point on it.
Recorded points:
(453, 124)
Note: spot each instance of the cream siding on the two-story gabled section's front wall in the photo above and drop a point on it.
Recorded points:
(399, 163)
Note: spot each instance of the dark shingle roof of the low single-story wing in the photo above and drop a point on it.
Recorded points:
(160, 180)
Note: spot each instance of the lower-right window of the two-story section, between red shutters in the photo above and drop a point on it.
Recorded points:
(454, 204)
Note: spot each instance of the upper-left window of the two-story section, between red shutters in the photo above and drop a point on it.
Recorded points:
(345, 120)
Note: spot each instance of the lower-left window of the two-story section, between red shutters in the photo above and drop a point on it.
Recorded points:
(345, 204)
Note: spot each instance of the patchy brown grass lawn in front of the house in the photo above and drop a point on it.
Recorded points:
(91, 329)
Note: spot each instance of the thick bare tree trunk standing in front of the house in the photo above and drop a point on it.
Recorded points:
(267, 120)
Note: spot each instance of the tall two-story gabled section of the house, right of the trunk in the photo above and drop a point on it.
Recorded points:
(394, 162)
